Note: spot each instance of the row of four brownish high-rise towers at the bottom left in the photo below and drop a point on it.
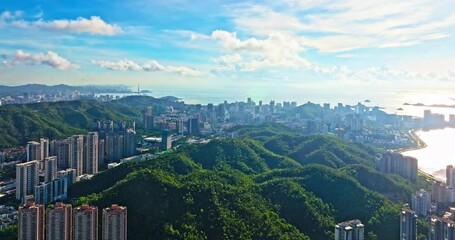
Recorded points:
(63, 222)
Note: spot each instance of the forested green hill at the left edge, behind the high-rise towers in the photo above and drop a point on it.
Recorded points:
(20, 123)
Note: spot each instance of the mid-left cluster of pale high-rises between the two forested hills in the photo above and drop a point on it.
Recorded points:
(59, 163)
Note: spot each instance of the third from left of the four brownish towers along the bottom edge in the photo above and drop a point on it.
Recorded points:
(85, 223)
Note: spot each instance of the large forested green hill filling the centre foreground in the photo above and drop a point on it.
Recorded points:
(268, 184)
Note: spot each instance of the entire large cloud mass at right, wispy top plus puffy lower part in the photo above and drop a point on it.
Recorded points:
(275, 36)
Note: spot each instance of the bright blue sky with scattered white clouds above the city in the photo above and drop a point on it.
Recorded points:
(316, 46)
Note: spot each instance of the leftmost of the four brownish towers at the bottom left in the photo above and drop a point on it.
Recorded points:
(31, 222)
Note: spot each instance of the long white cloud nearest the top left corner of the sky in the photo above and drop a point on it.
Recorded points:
(94, 25)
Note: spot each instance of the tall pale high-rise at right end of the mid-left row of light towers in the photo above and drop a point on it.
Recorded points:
(90, 164)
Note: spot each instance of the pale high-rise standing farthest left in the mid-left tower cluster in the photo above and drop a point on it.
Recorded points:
(27, 178)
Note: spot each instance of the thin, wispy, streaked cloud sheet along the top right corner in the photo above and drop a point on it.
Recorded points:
(343, 25)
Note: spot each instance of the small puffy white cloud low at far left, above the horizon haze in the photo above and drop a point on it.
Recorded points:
(49, 58)
